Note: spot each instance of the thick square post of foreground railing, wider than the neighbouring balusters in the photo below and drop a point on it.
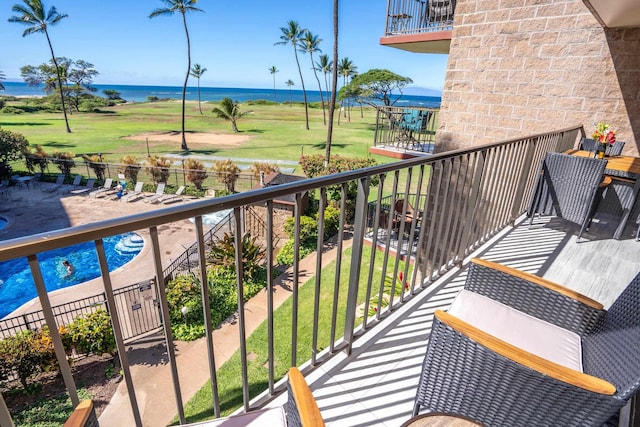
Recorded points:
(356, 261)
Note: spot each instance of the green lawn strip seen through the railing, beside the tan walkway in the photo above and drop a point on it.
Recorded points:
(200, 407)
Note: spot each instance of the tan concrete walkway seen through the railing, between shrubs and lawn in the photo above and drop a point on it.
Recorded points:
(151, 372)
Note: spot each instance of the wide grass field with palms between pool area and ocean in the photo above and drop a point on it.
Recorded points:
(277, 131)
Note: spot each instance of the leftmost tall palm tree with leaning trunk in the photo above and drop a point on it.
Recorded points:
(34, 16)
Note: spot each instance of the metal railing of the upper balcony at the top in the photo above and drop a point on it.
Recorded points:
(406, 17)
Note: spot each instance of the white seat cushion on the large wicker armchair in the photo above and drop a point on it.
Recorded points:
(519, 329)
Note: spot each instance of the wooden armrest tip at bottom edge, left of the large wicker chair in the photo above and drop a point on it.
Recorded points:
(301, 408)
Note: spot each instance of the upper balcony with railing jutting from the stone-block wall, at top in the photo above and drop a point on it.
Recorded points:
(423, 26)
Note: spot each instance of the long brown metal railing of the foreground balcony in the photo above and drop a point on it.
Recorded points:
(466, 196)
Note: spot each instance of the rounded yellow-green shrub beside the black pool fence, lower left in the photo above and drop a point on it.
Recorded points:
(92, 334)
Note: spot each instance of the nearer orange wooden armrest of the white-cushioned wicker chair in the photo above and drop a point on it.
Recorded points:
(529, 360)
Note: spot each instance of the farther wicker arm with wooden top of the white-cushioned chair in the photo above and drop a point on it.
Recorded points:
(535, 296)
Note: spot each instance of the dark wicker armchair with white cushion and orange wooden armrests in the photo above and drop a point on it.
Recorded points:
(470, 372)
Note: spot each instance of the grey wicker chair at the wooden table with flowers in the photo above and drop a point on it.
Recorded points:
(568, 187)
